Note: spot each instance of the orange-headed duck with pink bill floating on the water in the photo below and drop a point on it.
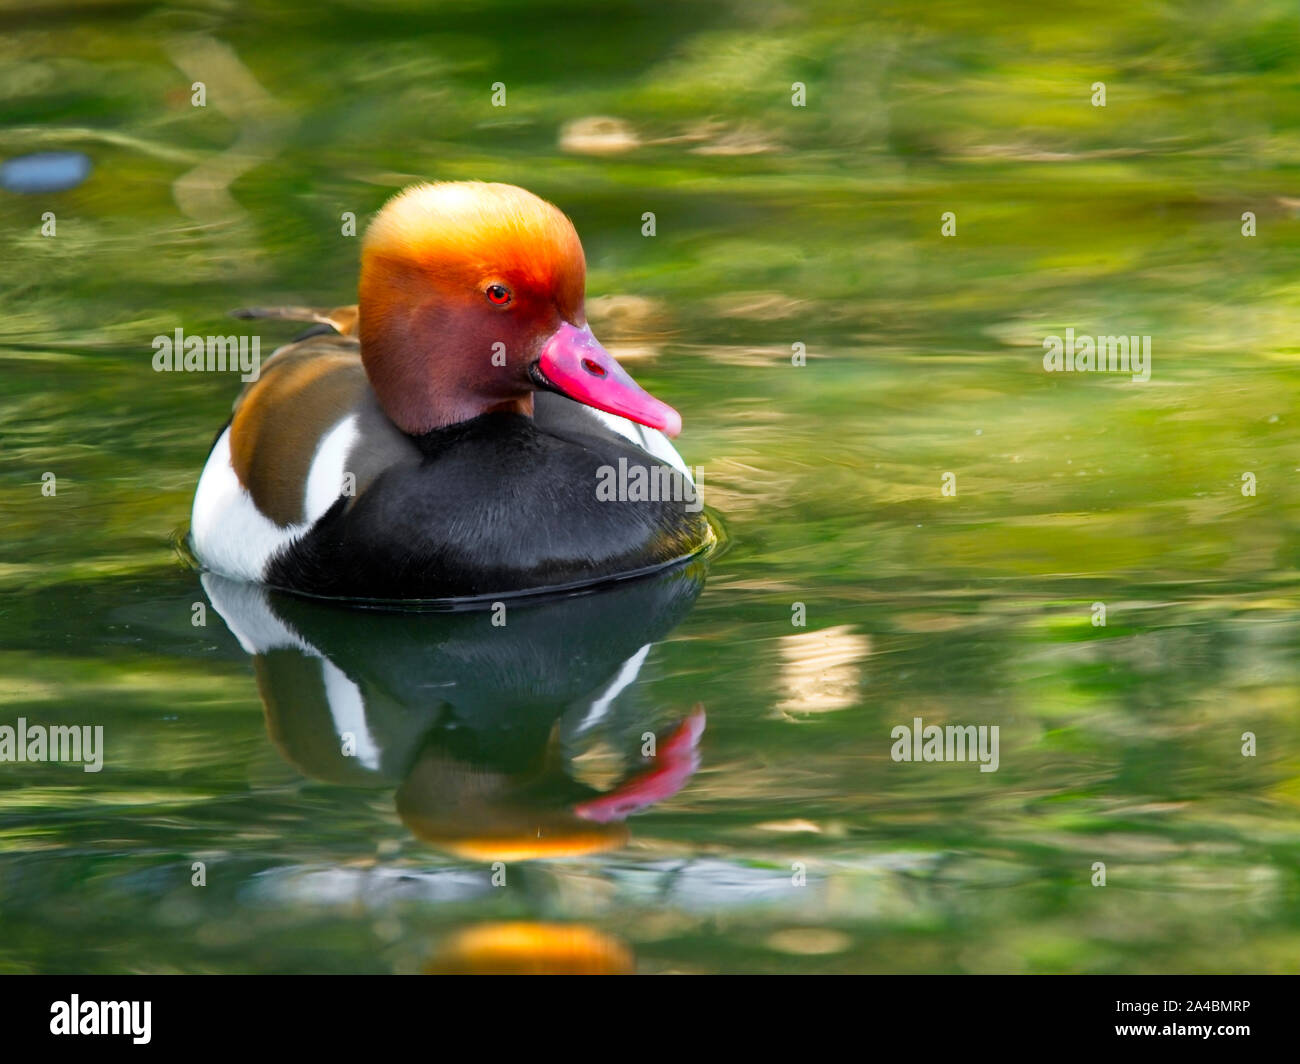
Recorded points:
(445, 439)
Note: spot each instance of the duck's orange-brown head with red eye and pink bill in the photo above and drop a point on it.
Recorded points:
(473, 300)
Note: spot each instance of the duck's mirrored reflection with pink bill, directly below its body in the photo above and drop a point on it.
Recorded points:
(487, 730)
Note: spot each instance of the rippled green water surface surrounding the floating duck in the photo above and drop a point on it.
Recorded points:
(799, 845)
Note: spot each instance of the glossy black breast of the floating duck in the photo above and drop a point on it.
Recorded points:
(497, 507)
